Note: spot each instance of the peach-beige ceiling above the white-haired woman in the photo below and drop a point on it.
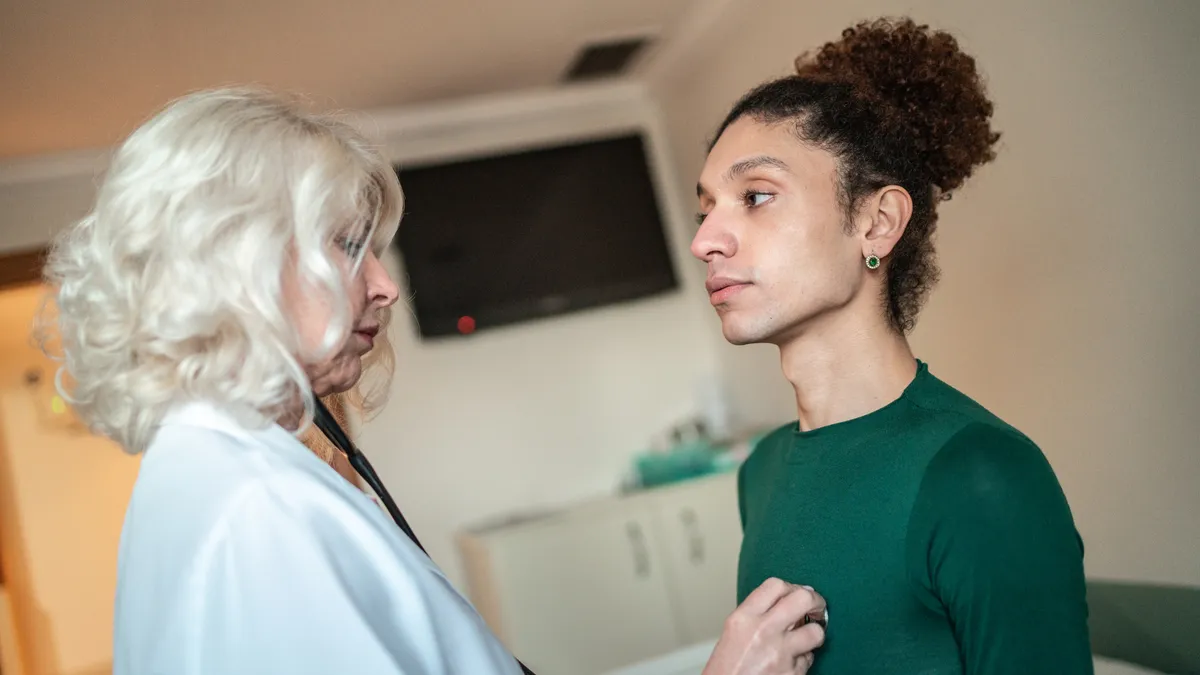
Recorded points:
(82, 74)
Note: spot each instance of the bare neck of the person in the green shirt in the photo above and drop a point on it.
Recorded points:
(845, 368)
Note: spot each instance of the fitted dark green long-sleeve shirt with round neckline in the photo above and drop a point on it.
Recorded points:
(938, 534)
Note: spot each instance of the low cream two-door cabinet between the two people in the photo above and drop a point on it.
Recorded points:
(610, 583)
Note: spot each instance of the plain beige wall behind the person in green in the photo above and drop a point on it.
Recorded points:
(1070, 302)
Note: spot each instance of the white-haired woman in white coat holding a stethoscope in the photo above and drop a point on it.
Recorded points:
(227, 277)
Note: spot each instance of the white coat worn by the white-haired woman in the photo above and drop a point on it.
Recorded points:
(243, 553)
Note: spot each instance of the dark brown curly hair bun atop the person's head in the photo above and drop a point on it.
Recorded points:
(928, 93)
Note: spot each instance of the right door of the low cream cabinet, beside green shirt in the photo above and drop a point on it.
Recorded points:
(703, 539)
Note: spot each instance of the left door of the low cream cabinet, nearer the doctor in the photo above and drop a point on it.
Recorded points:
(585, 593)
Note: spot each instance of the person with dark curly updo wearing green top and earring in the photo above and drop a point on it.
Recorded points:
(938, 534)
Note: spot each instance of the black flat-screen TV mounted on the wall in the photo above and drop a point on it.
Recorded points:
(496, 241)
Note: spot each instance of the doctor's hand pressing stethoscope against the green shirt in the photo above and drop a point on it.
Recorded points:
(769, 635)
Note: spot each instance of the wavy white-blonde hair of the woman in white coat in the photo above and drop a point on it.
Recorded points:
(170, 290)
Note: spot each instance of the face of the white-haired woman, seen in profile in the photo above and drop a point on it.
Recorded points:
(370, 291)
